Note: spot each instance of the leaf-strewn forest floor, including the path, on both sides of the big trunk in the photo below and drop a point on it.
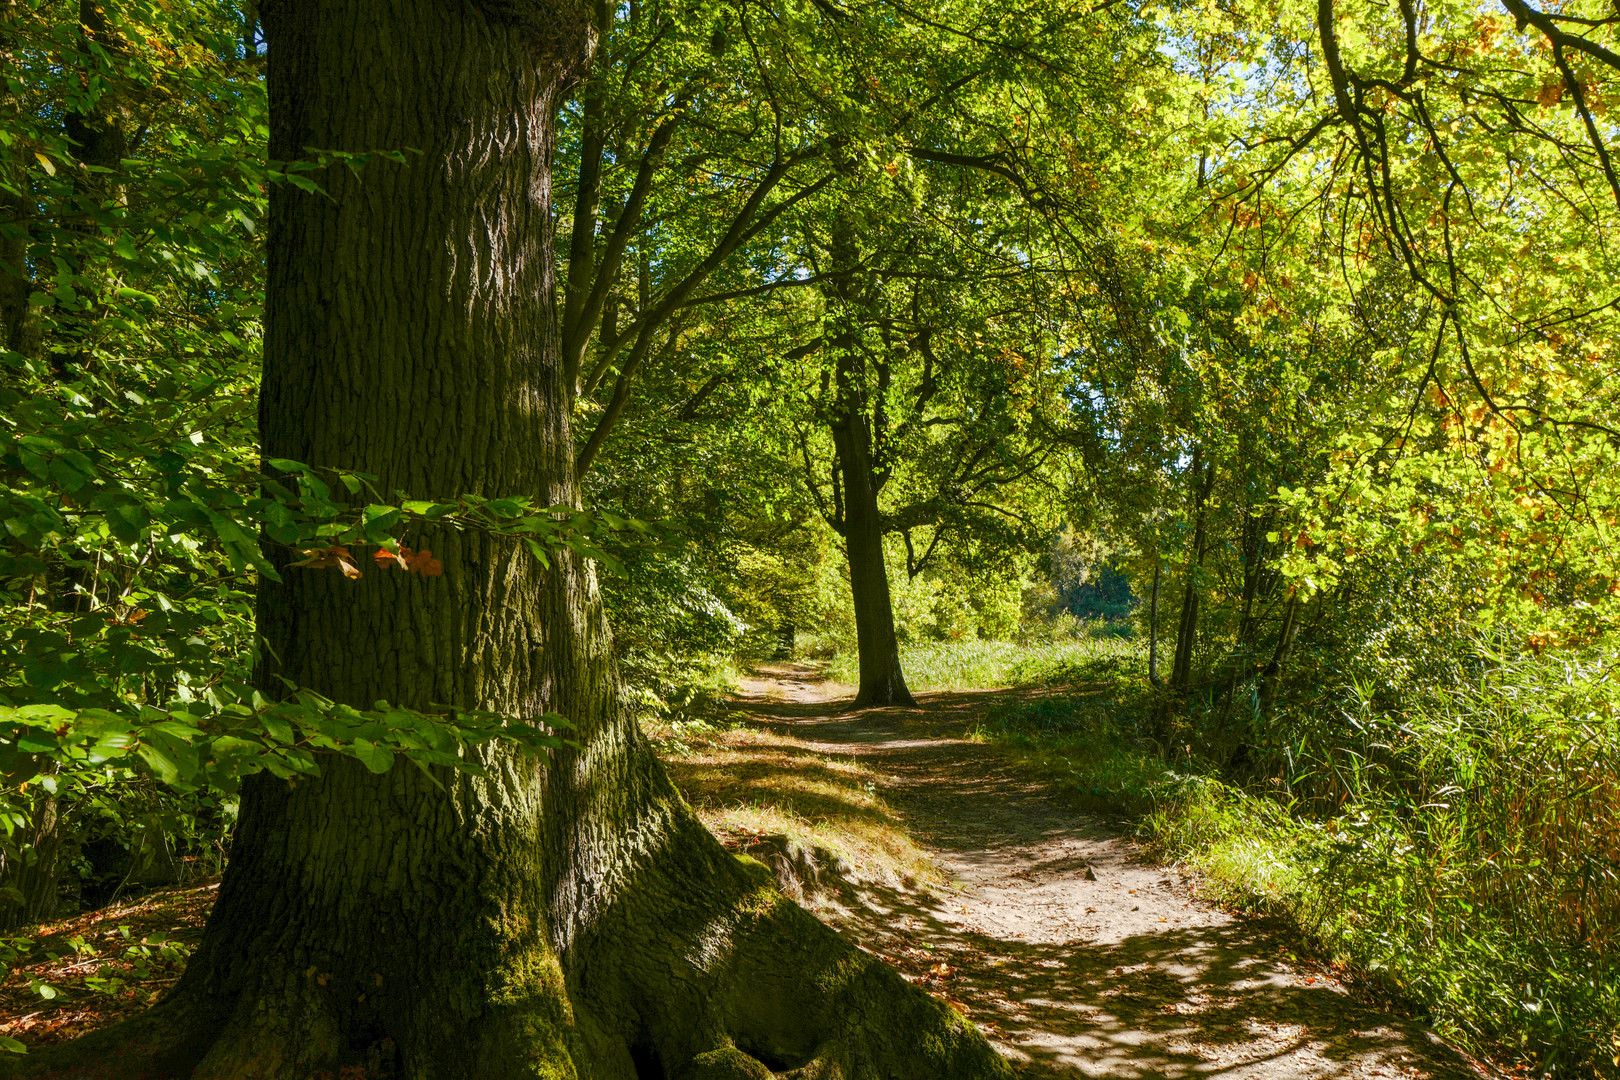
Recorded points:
(1033, 914)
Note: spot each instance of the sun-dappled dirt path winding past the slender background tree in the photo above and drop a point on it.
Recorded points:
(1075, 955)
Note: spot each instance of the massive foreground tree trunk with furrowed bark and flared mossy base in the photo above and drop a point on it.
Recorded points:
(560, 919)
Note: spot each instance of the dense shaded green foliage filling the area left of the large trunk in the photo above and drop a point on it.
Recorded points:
(132, 193)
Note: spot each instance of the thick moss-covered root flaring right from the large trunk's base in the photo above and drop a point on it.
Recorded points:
(757, 987)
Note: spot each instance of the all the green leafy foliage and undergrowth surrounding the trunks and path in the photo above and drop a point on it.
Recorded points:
(1307, 326)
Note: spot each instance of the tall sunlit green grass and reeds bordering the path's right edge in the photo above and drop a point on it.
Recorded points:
(1462, 848)
